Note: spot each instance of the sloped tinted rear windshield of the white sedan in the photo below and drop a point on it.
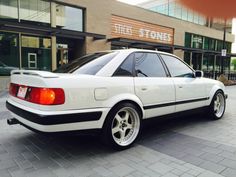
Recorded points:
(88, 64)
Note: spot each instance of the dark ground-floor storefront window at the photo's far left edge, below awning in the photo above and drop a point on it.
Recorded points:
(9, 53)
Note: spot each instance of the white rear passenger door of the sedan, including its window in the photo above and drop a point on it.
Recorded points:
(152, 85)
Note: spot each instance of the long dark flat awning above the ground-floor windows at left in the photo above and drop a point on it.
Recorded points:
(46, 30)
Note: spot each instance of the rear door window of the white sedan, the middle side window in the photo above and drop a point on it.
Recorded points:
(148, 65)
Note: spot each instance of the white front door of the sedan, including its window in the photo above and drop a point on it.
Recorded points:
(190, 91)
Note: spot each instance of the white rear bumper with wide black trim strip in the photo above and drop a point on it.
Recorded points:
(58, 122)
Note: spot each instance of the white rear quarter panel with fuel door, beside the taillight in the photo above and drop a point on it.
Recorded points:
(87, 92)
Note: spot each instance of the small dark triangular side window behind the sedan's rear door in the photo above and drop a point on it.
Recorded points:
(126, 68)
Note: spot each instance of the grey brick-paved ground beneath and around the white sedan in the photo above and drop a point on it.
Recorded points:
(186, 146)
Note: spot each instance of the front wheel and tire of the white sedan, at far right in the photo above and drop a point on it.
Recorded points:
(217, 106)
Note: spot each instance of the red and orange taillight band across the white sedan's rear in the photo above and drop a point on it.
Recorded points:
(38, 95)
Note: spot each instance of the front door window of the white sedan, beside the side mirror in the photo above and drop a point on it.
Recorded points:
(176, 67)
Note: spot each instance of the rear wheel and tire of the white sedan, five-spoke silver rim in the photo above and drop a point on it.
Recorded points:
(122, 126)
